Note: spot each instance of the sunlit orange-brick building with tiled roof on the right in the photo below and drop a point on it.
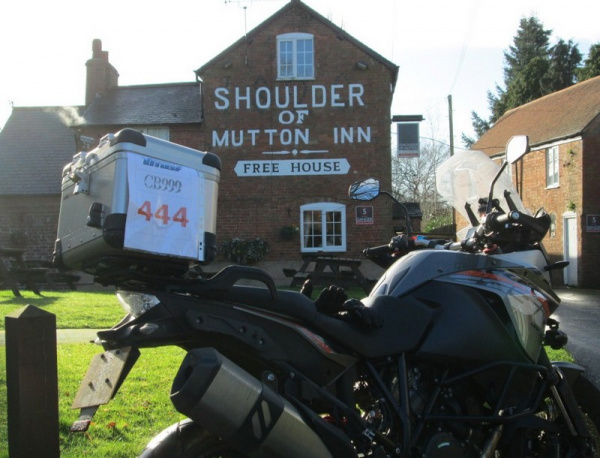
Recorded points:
(560, 174)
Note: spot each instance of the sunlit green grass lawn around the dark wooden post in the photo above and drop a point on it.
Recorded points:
(142, 406)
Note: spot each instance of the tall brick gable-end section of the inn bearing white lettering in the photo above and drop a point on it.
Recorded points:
(298, 110)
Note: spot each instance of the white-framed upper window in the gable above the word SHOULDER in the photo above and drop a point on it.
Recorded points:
(295, 56)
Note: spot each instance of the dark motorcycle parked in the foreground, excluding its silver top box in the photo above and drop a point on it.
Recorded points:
(444, 358)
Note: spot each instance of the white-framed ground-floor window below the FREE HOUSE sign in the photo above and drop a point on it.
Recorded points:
(323, 227)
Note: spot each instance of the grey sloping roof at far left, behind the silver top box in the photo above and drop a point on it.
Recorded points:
(35, 145)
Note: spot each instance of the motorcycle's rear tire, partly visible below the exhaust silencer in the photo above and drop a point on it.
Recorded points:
(186, 439)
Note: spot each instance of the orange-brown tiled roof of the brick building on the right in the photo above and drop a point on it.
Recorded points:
(557, 116)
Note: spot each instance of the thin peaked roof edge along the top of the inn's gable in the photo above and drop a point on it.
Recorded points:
(341, 33)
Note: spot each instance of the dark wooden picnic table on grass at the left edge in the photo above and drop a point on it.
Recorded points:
(13, 271)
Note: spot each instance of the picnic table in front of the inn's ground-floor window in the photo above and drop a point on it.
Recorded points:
(326, 270)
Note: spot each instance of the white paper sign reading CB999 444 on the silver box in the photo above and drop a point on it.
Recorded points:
(164, 213)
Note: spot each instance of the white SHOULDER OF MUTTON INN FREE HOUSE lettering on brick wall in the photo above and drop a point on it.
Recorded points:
(291, 151)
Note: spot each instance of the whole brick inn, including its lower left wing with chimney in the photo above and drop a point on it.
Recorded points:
(297, 110)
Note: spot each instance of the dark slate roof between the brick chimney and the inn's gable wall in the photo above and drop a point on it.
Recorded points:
(174, 103)
